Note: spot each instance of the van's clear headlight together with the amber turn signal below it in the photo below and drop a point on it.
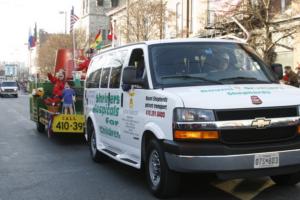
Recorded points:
(193, 115)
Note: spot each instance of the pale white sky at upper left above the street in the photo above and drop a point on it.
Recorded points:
(18, 16)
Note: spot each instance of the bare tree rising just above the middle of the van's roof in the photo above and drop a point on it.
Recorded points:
(144, 20)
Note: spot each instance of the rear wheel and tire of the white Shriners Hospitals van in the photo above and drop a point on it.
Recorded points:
(96, 155)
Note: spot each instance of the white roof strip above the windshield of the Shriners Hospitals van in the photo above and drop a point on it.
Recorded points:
(178, 40)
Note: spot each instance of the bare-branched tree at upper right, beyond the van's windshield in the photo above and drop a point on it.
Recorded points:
(265, 21)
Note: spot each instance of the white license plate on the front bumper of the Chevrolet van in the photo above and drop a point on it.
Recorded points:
(266, 160)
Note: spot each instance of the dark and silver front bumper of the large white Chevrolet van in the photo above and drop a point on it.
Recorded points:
(218, 158)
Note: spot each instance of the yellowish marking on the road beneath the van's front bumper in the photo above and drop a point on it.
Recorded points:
(245, 189)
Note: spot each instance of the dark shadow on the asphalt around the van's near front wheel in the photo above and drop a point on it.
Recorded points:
(193, 186)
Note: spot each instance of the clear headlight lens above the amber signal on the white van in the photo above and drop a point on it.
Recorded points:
(193, 115)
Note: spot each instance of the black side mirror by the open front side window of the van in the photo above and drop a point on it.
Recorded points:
(129, 78)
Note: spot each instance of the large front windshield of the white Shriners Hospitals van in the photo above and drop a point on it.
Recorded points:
(205, 63)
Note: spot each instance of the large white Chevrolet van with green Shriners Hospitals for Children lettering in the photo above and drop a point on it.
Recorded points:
(192, 105)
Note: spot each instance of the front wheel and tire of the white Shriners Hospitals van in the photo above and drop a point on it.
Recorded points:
(156, 167)
